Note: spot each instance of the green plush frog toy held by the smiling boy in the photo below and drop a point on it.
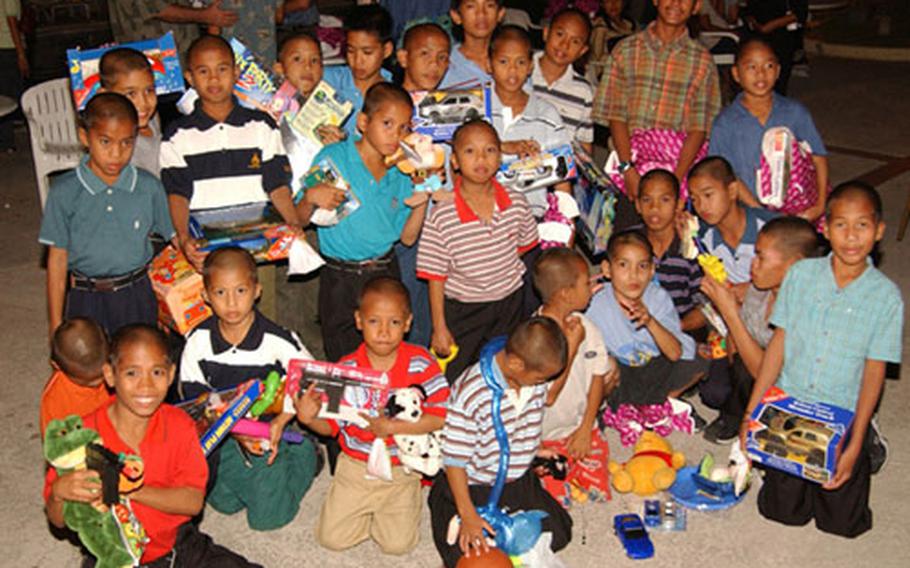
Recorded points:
(111, 533)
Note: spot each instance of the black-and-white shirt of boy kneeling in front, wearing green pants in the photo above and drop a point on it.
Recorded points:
(210, 362)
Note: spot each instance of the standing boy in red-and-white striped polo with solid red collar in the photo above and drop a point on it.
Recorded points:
(470, 251)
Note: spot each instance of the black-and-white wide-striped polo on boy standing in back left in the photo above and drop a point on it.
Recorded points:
(220, 164)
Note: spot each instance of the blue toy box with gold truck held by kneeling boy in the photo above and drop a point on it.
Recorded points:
(797, 437)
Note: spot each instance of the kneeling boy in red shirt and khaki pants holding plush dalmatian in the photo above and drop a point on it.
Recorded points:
(357, 508)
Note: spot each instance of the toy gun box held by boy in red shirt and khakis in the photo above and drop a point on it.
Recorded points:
(346, 391)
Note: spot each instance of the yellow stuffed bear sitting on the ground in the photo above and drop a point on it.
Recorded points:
(651, 468)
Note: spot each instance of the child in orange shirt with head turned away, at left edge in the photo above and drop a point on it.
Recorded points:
(78, 351)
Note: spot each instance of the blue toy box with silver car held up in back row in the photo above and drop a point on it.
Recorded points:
(438, 114)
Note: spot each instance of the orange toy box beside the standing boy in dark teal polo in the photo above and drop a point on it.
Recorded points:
(178, 288)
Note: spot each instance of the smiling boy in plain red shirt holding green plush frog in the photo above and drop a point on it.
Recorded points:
(135, 421)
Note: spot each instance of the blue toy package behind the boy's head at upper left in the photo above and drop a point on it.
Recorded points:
(161, 53)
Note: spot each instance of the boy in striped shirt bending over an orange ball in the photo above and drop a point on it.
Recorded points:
(535, 353)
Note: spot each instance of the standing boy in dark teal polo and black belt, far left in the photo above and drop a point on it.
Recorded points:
(97, 223)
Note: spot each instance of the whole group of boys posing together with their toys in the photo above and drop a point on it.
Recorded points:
(475, 249)
